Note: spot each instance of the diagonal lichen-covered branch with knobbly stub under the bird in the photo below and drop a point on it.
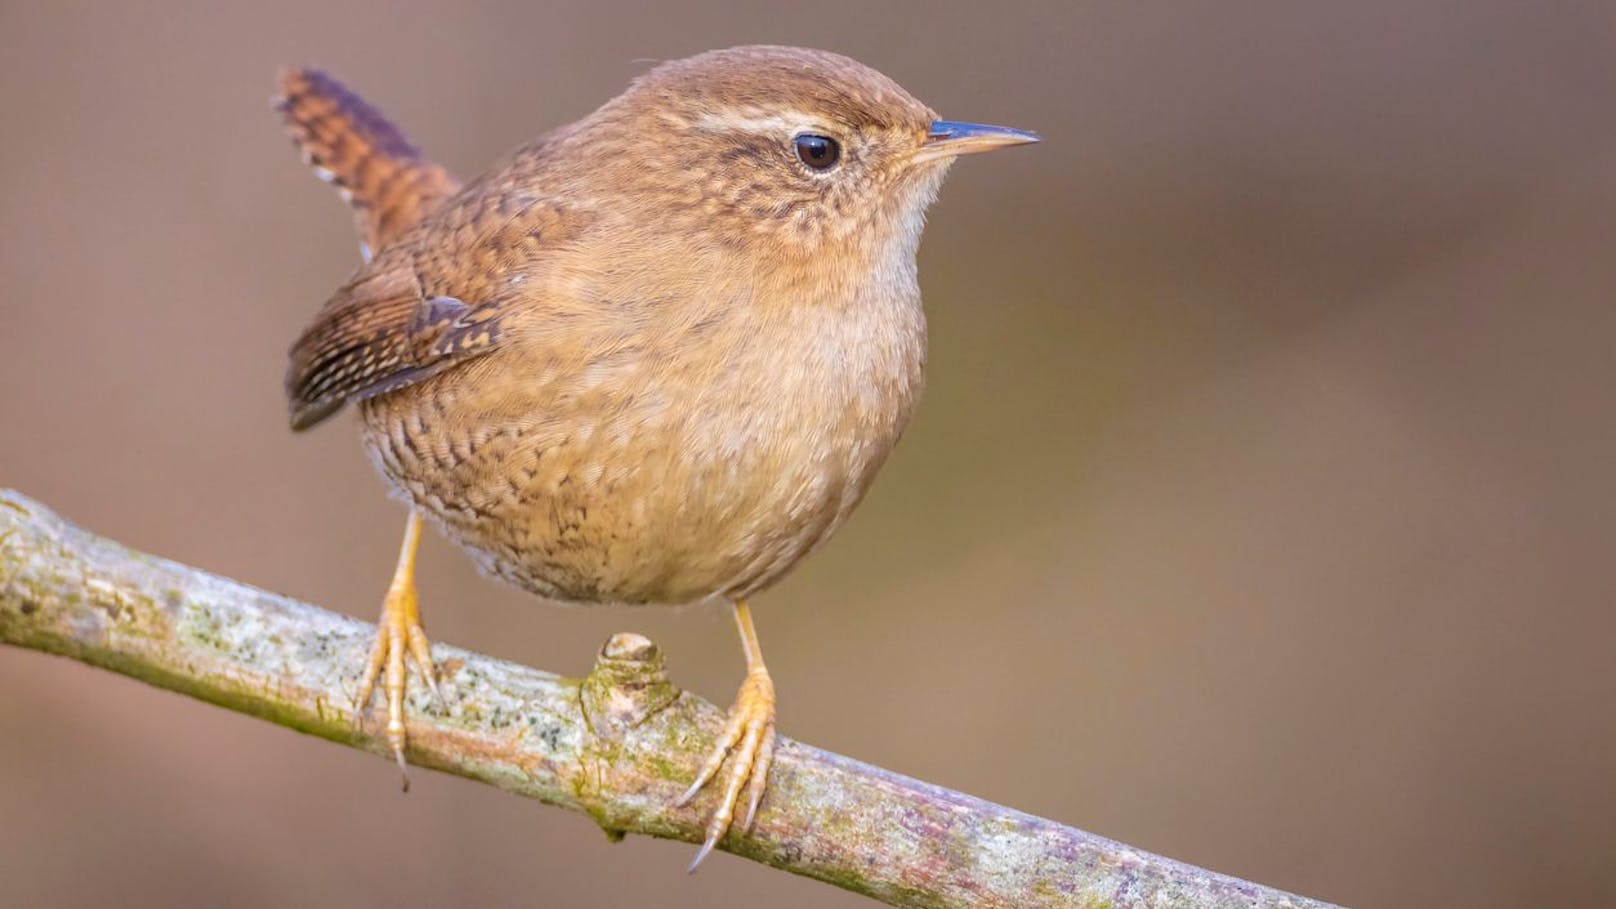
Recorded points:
(620, 745)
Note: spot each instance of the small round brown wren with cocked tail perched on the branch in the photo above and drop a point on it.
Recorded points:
(654, 357)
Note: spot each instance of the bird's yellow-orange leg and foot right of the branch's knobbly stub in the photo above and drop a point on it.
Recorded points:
(751, 734)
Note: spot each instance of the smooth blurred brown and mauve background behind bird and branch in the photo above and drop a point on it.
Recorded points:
(1260, 512)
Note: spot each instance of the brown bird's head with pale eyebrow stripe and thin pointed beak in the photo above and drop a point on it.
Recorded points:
(799, 150)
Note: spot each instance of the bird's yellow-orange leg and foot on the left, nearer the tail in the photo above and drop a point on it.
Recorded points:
(400, 636)
